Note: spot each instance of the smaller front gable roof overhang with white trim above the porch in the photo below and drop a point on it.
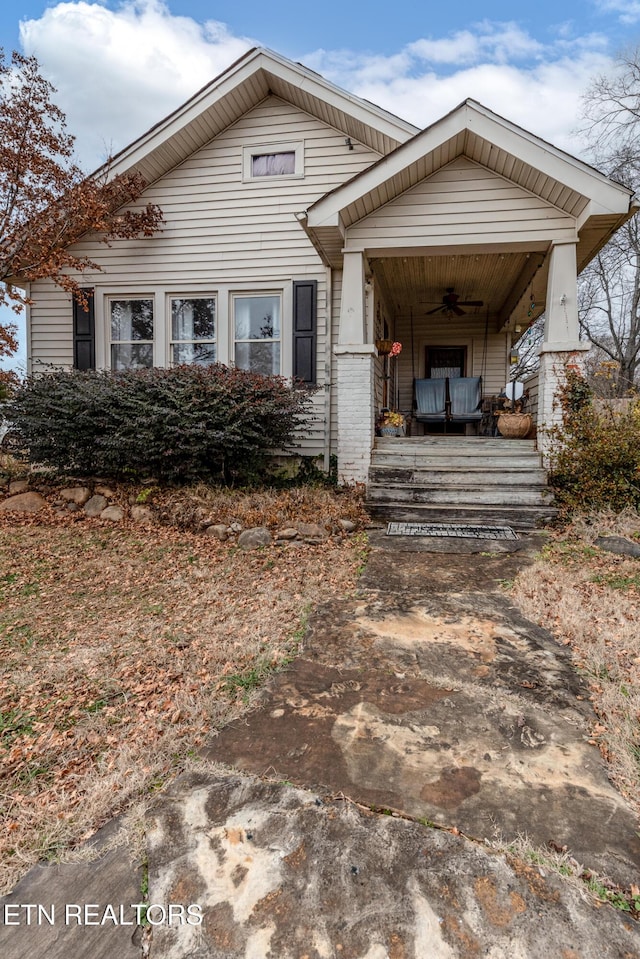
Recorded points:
(598, 203)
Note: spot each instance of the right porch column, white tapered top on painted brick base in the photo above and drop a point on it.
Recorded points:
(561, 343)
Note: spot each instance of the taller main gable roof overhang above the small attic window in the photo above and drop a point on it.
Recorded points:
(255, 76)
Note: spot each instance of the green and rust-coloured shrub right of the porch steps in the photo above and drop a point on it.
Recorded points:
(596, 455)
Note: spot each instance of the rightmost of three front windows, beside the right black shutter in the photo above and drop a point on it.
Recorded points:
(257, 326)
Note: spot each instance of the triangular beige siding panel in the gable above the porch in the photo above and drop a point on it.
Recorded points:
(460, 204)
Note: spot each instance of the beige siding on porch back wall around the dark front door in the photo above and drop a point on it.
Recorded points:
(458, 331)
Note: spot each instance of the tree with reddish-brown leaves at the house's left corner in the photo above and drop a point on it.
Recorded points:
(46, 202)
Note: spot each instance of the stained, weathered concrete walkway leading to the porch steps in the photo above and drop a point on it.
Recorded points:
(358, 812)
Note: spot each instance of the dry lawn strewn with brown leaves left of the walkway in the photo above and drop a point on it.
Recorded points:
(122, 647)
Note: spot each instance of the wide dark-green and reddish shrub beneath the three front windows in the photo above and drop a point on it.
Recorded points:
(182, 424)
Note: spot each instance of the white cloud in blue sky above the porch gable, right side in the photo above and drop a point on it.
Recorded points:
(537, 87)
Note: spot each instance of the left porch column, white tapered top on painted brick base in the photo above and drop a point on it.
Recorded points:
(355, 376)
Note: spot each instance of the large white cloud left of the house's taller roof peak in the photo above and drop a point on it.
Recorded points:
(117, 72)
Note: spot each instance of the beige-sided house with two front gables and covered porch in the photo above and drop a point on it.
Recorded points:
(303, 225)
